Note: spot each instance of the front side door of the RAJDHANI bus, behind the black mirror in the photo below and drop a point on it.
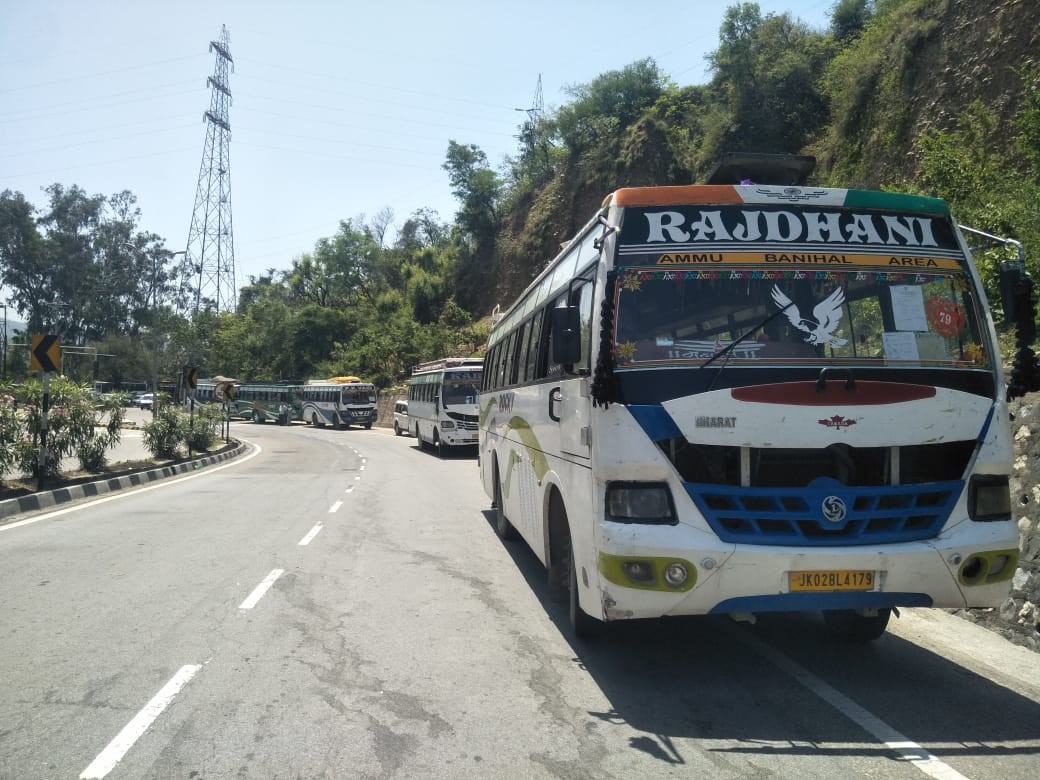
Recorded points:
(570, 403)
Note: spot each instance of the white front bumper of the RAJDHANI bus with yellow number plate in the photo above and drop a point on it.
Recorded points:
(970, 565)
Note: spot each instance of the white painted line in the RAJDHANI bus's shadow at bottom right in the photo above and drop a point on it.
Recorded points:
(900, 744)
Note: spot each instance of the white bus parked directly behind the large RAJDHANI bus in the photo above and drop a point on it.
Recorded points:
(443, 403)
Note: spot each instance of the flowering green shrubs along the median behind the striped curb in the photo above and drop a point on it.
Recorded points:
(82, 425)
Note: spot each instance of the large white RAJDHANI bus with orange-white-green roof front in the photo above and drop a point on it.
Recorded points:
(740, 399)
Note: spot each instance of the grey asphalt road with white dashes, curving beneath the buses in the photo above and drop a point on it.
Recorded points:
(336, 605)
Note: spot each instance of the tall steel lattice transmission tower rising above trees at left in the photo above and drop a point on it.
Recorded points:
(209, 273)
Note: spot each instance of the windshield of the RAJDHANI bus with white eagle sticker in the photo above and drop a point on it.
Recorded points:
(851, 317)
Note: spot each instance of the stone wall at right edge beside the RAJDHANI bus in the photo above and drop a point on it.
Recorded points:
(1019, 618)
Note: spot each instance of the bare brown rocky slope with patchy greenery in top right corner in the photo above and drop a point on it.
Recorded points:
(923, 73)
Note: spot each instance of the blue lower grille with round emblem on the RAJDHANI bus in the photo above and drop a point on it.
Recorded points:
(796, 516)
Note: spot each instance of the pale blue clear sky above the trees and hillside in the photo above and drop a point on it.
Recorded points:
(341, 110)
